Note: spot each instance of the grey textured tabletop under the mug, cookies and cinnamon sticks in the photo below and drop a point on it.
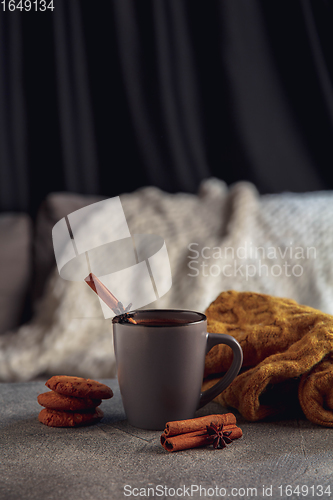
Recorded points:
(111, 459)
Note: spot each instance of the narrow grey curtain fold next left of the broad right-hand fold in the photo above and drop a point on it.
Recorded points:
(178, 97)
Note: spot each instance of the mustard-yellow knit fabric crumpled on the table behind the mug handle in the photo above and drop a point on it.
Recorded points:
(288, 349)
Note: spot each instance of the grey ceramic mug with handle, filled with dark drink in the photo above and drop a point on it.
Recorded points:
(160, 364)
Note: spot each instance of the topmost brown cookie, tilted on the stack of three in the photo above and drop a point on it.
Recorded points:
(79, 387)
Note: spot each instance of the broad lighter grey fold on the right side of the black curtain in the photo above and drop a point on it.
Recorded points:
(266, 123)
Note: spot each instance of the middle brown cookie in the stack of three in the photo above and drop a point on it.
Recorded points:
(55, 401)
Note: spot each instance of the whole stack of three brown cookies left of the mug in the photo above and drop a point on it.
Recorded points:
(72, 402)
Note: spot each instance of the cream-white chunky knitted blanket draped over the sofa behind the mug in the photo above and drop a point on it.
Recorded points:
(223, 238)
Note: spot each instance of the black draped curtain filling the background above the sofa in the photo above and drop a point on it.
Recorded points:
(105, 97)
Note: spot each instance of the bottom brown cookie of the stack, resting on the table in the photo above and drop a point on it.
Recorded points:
(54, 418)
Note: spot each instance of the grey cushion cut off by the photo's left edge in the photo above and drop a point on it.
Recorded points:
(15, 267)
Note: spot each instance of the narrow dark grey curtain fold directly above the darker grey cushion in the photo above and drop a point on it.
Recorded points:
(75, 108)
